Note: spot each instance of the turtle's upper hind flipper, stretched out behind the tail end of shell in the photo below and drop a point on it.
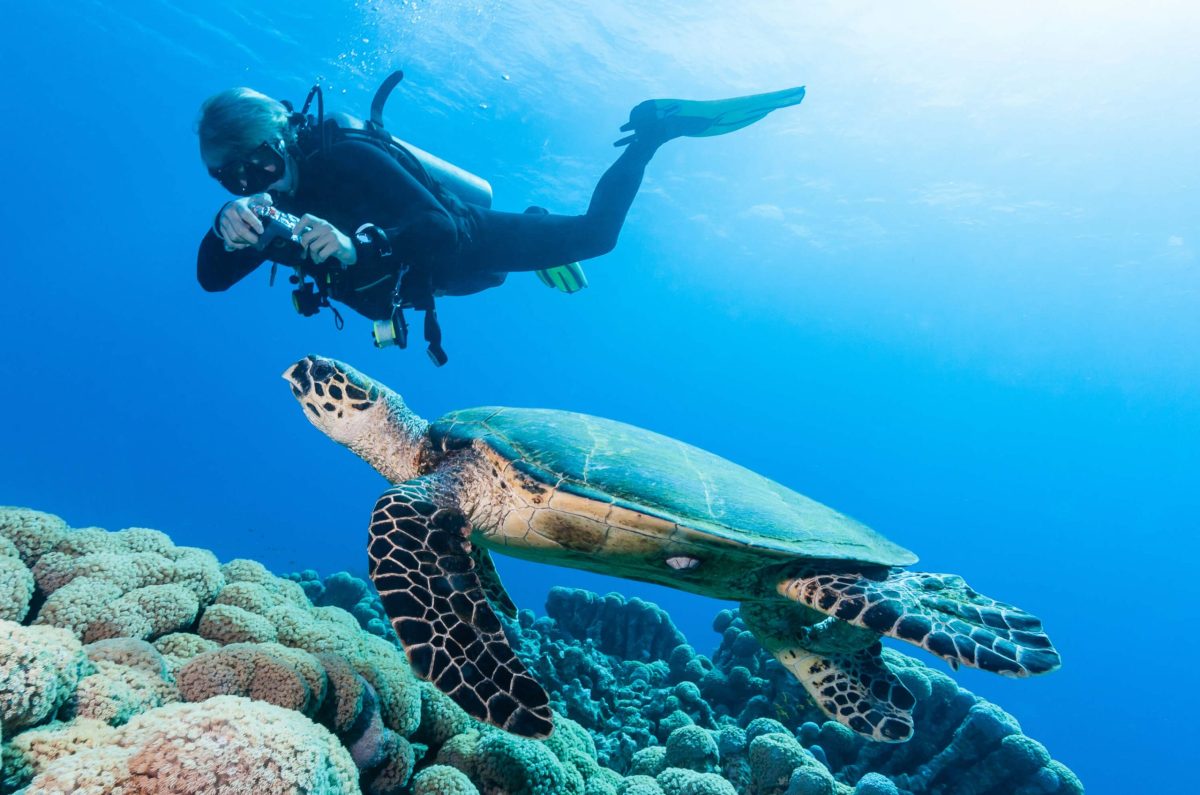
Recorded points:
(939, 613)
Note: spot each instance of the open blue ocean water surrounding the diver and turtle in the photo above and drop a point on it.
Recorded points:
(953, 295)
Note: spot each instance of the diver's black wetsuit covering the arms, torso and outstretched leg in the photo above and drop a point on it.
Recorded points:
(447, 247)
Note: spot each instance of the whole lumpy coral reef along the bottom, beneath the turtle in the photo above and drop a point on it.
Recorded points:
(129, 665)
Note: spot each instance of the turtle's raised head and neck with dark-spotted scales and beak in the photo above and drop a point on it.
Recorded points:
(361, 414)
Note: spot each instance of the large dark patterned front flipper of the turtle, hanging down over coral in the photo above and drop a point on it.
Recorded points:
(422, 566)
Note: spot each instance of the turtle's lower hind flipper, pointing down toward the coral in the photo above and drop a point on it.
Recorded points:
(853, 686)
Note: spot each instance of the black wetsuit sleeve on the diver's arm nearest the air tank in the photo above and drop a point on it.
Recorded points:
(417, 226)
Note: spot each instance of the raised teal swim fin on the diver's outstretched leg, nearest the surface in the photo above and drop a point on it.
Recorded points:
(661, 121)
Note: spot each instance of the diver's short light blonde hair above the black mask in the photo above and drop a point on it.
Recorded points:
(236, 122)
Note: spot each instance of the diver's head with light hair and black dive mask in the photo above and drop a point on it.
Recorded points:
(244, 141)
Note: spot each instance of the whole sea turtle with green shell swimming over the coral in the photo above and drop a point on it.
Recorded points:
(817, 588)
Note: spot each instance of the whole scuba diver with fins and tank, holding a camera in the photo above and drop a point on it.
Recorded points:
(379, 225)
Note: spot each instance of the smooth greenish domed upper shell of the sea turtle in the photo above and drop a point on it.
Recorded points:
(610, 462)
